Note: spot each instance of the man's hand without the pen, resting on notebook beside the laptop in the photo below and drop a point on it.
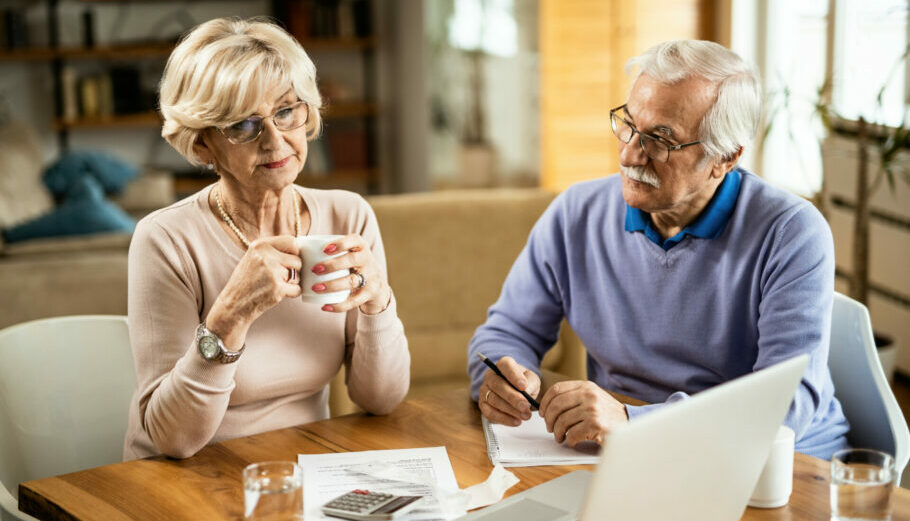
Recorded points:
(578, 411)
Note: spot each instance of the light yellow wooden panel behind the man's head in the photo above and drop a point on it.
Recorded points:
(584, 45)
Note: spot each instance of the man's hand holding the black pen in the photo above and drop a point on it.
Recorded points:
(502, 404)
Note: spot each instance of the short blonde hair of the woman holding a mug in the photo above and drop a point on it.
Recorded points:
(221, 71)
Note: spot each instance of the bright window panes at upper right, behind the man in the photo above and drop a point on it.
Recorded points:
(790, 42)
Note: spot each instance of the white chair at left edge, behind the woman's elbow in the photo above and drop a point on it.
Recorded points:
(65, 390)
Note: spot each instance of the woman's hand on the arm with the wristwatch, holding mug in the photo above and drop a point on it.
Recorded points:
(259, 282)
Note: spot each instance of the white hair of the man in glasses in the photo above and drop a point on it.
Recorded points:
(733, 119)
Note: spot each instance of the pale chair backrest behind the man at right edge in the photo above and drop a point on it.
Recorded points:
(876, 420)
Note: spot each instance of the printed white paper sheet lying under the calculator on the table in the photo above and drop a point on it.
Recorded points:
(424, 472)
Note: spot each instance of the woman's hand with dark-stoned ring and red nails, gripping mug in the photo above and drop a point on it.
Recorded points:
(369, 290)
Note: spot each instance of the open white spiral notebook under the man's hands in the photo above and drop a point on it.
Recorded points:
(530, 445)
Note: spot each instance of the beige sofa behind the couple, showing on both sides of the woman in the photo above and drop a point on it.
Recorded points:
(448, 253)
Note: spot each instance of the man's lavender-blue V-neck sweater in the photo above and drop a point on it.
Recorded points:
(660, 324)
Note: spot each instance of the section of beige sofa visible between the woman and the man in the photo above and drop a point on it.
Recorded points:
(448, 253)
